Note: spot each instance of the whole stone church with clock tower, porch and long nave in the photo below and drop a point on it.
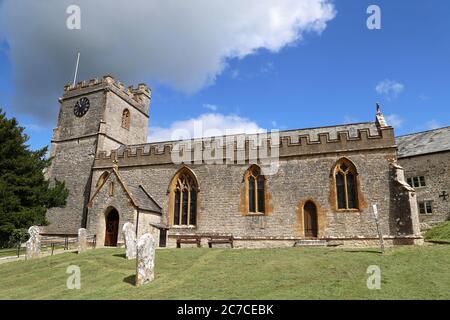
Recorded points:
(320, 183)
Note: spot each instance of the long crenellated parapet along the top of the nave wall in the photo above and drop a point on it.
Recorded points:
(254, 147)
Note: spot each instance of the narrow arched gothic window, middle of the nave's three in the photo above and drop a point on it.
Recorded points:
(255, 183)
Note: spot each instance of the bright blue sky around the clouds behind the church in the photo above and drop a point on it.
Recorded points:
(324, 79)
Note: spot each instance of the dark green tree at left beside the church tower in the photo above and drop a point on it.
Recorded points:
(25, 194)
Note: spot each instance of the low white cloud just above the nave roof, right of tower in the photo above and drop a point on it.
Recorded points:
(205, 125)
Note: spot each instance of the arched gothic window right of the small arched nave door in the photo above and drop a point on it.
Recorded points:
(346, 185)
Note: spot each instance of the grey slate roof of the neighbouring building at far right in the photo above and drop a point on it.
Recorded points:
(431, 141)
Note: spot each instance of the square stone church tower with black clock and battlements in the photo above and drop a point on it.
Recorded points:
(94, 116)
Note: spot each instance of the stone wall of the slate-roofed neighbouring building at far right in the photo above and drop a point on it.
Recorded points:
(436, 170)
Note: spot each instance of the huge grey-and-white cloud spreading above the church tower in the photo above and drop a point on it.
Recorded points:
(183, 44)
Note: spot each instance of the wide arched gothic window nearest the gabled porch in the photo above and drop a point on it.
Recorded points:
(184, 191)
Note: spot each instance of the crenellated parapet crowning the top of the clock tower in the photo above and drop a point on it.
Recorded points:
(139, 96)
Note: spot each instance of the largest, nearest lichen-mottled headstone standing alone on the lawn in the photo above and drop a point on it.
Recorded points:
(145, 259)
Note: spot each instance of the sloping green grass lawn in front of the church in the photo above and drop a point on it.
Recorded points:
(420, 272)
